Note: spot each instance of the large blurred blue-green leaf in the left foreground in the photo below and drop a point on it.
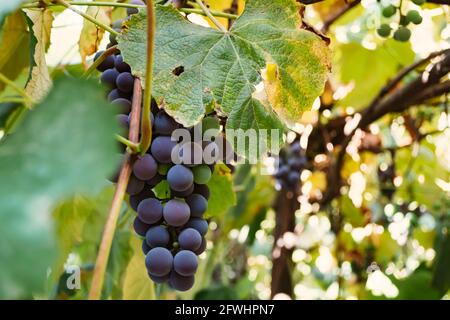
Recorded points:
(66, 145)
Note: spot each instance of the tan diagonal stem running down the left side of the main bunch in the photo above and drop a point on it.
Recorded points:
(114, 211)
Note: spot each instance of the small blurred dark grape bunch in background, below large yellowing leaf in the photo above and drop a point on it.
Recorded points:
(290, 163)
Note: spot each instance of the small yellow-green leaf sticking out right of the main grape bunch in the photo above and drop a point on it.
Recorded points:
(222, 195)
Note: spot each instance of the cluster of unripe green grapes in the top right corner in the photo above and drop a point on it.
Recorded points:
(402, 32)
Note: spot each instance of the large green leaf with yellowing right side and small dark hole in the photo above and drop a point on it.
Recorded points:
(195, 66)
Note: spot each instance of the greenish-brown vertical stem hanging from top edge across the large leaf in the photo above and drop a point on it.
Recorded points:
(146, 131)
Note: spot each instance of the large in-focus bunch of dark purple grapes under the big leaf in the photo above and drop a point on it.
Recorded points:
(172, 226)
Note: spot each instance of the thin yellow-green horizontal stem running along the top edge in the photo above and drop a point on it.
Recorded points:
(129, 5)
